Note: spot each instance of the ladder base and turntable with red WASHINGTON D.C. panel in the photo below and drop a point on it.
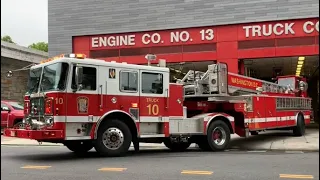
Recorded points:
(217, 81)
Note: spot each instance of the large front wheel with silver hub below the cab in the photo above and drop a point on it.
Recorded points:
(113, 139)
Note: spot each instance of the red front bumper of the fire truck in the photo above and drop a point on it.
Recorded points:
(34, 134)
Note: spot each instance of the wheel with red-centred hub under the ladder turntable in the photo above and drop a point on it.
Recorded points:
(218, 135)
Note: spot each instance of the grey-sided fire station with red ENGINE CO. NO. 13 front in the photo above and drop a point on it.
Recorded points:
(257, 38)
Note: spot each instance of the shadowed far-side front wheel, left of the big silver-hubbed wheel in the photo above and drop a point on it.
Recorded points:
(79, 147)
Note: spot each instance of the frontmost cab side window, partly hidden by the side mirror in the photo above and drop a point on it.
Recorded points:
(89, 79)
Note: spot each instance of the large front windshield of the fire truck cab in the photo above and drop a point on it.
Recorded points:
(54, 77)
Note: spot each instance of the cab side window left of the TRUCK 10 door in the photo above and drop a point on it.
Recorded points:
(128, 81)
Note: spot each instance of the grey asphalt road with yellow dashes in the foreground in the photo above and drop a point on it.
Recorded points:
(57, 163)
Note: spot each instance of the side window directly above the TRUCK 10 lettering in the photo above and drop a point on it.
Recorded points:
(152, 83)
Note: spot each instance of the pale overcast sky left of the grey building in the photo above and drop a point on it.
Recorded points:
(26, 21)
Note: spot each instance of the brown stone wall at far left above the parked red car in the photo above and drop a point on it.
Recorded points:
(13, 88)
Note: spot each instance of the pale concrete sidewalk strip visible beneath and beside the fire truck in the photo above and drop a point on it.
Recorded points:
(273, 140)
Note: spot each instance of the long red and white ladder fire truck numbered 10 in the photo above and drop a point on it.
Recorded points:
(88, 103)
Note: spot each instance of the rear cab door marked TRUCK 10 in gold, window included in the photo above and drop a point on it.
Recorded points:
(154, 96)
